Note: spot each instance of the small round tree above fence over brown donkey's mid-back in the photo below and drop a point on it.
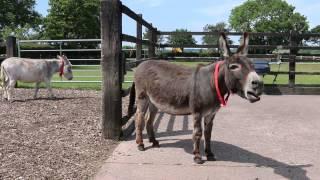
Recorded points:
(181, 39)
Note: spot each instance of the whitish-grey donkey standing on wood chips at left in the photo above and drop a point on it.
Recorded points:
(34, 71)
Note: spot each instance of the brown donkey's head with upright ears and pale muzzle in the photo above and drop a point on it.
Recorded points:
(240, 75)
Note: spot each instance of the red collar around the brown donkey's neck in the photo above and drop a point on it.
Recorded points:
(214, 80)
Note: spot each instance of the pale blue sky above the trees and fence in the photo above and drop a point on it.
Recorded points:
(168, 15)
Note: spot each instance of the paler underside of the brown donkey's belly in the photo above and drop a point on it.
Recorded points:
(171, 109)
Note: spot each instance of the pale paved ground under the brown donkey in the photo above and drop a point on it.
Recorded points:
(276, 138)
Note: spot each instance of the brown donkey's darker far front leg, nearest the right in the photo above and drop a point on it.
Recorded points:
(208, 122)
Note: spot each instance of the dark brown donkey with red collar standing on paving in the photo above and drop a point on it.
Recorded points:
(178, 90)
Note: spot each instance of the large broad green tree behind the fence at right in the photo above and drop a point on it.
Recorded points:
(268, 16)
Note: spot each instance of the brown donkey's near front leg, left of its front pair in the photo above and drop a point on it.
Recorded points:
(196, 137)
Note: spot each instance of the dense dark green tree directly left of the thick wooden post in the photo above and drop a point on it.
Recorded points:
(73, 19)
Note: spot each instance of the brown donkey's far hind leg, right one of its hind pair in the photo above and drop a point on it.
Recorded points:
(152, 114)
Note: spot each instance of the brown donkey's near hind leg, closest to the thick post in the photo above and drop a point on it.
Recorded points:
(142, 107)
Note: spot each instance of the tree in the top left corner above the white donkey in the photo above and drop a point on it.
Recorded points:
(18, 17)
